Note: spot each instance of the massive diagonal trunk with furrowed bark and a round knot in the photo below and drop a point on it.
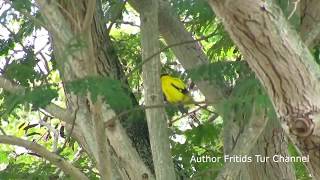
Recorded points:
(282, 63)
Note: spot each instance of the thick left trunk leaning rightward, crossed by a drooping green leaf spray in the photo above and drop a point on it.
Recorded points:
(69, 23)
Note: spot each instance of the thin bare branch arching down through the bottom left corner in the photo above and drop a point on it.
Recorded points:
(53, 158)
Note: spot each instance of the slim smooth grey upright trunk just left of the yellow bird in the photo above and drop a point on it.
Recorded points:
(157, 122)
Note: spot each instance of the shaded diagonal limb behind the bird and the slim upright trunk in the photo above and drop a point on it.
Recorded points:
(184, 46)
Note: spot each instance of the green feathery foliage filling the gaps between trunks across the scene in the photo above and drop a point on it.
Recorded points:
(26, 59)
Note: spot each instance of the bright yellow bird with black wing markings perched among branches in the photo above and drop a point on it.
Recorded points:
(176, 92)
